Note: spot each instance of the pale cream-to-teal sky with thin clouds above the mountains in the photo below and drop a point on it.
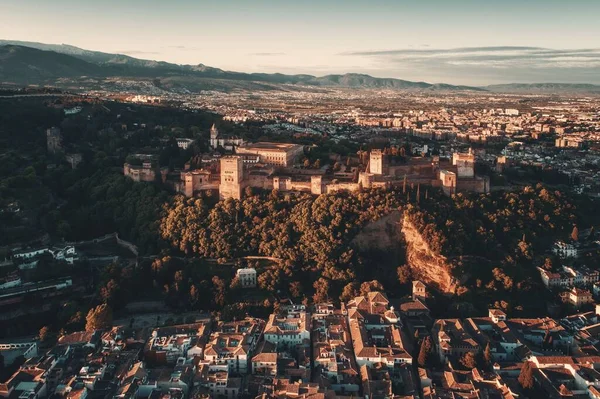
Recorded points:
(471, 42)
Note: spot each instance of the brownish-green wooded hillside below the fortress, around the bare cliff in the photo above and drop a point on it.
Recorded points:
(494, 240)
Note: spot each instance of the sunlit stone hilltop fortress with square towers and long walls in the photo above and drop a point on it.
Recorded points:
(270, 166)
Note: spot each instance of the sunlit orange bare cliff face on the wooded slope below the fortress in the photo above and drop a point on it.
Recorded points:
(427, 266)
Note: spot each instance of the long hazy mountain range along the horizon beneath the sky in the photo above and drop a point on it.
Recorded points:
(27, 63)
